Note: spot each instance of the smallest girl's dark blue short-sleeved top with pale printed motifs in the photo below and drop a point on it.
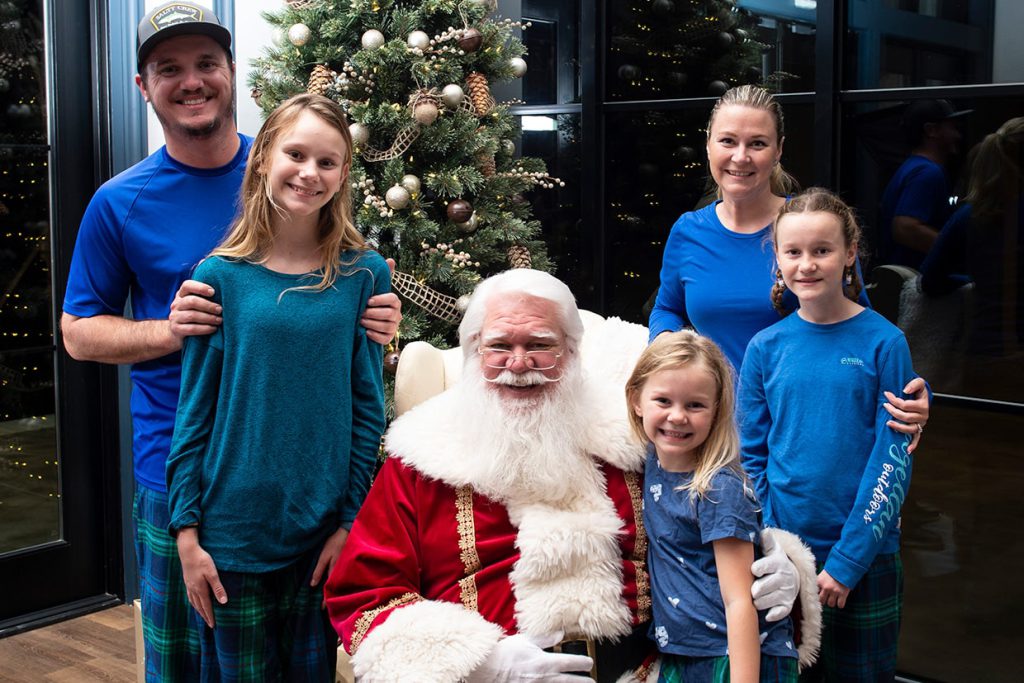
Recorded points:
(687, 599)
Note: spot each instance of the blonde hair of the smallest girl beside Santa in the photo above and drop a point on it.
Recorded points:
(689, 350)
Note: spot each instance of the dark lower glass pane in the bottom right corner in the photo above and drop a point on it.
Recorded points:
(961, 551)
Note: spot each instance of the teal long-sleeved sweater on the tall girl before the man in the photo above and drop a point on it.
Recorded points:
(280, 415)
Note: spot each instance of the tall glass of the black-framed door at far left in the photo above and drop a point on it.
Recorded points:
(29, 482)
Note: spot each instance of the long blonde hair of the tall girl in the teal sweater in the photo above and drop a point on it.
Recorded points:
(252, 235)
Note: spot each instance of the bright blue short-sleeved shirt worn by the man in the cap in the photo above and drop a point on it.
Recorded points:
(142, 236)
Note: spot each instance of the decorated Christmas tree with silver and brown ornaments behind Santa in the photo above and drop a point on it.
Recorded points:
(435, 161)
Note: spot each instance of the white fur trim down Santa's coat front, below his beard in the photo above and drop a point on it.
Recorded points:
(569, 577)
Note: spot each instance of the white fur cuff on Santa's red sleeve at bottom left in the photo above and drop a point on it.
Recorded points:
(434, 642)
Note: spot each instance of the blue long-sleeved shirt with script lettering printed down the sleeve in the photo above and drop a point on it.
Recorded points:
(815, 439)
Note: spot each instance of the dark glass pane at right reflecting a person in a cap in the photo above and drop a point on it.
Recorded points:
(938, 186)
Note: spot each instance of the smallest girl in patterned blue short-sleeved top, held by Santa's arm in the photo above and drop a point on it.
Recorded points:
(703, 521)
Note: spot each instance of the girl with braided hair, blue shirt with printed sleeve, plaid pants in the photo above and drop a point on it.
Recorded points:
(815, 439)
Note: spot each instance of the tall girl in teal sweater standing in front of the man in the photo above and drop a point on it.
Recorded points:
(282, 408)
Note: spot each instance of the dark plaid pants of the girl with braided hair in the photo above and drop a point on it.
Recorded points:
(860, 643)
